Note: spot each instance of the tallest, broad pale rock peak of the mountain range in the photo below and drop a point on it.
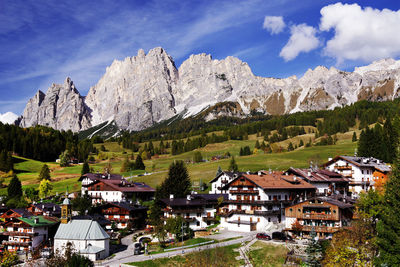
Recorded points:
(136, 92)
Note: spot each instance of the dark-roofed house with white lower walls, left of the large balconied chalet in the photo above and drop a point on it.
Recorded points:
(198, 210)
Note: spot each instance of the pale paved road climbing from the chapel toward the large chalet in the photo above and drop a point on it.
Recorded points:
(127, 255)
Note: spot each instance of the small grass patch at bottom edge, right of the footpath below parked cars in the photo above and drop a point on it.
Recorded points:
(268, 255)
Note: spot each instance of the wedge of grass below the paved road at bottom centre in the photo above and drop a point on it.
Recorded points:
(218, 257)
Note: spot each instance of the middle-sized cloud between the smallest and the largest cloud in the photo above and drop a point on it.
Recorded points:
(302, 39)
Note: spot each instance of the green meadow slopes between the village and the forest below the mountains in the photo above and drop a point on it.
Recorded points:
(157, 168)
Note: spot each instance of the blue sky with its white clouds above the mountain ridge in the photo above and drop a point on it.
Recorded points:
(43, 42)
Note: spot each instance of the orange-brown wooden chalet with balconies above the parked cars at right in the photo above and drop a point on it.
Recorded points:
(323, 215)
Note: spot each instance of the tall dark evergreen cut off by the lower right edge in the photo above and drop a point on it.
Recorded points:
(388, 229)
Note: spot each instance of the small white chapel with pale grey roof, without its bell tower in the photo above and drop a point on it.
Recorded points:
(85, 237)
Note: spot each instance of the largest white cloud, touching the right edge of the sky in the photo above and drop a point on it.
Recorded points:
(361, 34)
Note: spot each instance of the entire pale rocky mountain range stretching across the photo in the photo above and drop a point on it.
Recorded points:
(145, 89)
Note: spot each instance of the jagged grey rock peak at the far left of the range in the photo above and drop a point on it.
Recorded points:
(62, 108)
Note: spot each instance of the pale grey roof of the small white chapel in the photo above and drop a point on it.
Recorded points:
(81, 230)
